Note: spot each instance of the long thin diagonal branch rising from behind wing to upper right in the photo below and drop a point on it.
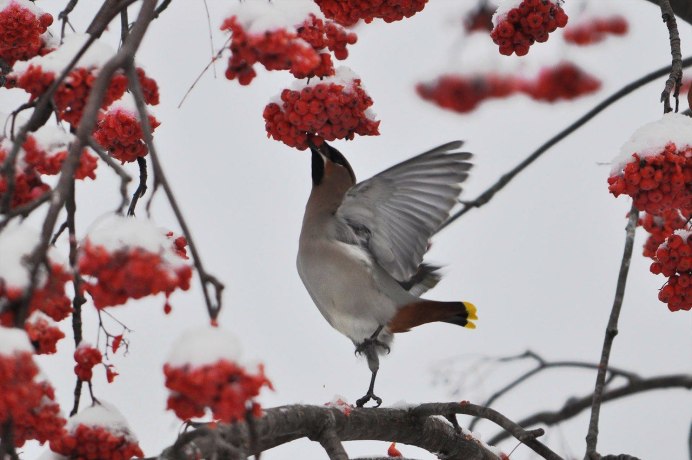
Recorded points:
(487, 195)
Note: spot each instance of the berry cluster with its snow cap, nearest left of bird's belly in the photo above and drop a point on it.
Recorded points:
(127, 258)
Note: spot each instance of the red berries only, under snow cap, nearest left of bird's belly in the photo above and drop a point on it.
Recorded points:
(129, 273)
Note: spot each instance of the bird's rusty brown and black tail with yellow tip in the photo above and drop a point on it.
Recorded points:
(428, 311)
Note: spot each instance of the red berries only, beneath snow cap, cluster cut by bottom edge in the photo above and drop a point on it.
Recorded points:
(90, 442)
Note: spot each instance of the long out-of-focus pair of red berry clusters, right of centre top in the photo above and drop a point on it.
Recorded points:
(463, 94)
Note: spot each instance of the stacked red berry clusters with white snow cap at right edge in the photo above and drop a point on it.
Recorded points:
(655, 169)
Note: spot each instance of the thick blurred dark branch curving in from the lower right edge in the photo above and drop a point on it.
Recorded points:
(575, 406)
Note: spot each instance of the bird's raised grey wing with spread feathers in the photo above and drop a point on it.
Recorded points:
(395, 213)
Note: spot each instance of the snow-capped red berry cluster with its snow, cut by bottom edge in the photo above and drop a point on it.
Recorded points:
(98, 433)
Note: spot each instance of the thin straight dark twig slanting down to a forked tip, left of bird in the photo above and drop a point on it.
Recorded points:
(206, 279)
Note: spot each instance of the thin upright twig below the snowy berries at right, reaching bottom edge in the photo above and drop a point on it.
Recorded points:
(611, 332)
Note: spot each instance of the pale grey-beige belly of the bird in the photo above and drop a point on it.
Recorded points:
(342, 282)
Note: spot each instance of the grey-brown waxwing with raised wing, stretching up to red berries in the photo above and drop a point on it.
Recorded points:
(361, 247)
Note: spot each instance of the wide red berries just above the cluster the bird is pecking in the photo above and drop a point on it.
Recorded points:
(298, 51)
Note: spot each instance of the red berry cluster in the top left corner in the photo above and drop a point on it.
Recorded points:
(20, 31)
